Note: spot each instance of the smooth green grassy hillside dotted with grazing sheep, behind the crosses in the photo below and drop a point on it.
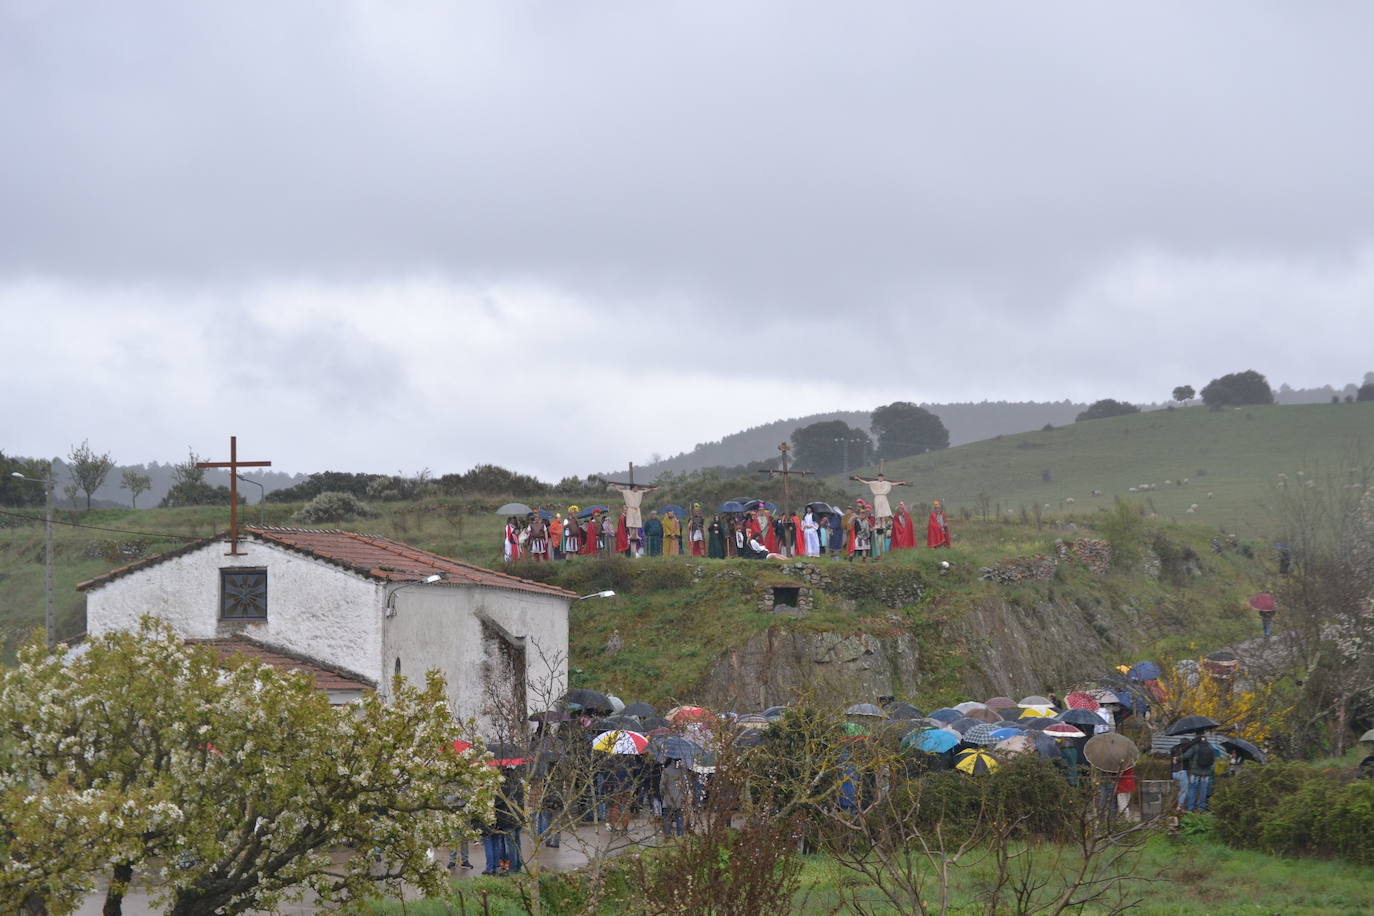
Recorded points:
(1226, 462)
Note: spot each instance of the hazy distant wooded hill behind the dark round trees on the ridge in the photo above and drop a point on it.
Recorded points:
(967, 422)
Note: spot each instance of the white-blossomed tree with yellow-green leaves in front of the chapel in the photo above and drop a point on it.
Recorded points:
(237, 781)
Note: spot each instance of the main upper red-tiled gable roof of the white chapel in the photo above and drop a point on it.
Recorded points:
(379, 558)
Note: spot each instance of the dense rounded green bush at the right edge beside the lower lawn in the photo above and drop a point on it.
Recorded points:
(1294, 810)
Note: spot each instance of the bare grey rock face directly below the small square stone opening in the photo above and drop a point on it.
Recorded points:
(780, 664)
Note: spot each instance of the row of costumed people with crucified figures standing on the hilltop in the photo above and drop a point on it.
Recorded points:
(747, 529)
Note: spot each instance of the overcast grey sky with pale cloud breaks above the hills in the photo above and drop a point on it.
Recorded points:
(557, 237)
